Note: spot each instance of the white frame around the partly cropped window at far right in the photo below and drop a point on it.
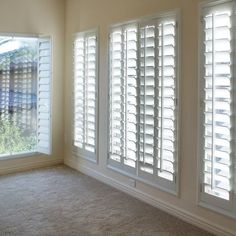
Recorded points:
(205, 200)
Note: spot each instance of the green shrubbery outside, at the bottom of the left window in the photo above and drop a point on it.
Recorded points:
(13, 139)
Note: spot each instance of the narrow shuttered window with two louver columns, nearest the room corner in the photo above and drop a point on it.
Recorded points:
(85, 94)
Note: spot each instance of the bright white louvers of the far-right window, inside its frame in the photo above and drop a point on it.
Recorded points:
(217, 104)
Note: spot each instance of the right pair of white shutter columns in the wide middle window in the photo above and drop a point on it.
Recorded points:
(158, 154)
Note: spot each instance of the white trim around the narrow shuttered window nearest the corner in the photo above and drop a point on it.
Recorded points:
(77, 152)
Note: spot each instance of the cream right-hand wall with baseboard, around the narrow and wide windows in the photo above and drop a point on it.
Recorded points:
(86, 14)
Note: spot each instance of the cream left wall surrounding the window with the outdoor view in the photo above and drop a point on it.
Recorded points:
(42, 17)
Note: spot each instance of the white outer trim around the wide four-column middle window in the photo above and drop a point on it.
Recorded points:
(162, 184)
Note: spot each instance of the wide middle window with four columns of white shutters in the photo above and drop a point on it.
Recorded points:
(143, 101)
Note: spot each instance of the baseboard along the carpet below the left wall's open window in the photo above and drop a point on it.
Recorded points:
(29, 166)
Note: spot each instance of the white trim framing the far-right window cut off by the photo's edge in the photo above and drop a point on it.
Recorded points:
(227, 208)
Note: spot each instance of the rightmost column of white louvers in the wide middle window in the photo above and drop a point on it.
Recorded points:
(167, 98)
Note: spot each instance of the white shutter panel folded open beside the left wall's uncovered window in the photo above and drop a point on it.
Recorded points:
(44, 96)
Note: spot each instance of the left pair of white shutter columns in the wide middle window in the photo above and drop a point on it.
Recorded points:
(123, 97)
